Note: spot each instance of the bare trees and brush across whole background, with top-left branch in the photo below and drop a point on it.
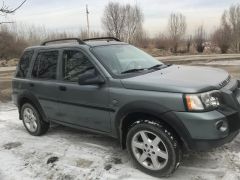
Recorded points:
(125, 21)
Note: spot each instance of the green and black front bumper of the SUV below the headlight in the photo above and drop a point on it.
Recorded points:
(203, 134)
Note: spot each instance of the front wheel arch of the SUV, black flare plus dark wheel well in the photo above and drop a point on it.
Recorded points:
(133, 112)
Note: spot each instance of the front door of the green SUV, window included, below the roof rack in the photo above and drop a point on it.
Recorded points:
(83, 105)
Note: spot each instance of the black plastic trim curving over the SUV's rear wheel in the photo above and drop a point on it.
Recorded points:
(33, 100)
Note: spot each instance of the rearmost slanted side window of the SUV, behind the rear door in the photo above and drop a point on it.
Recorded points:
(24, 63)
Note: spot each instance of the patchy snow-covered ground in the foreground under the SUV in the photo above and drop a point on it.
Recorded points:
(83, 155)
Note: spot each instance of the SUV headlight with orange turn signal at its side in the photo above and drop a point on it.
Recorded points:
(203, 101)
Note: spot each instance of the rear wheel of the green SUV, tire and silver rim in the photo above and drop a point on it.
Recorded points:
(32, 120)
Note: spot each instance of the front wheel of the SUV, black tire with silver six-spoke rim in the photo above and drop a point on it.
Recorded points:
(160, 149)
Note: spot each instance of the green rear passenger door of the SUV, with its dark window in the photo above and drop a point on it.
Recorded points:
(44, 81)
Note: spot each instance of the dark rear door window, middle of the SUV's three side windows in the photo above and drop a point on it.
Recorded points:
(45, 66)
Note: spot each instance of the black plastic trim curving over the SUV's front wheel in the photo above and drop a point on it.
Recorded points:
(154, 109)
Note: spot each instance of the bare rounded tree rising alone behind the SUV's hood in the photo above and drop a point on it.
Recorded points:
(177, 28)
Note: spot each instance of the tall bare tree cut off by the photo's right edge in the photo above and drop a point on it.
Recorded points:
(231, 18)
